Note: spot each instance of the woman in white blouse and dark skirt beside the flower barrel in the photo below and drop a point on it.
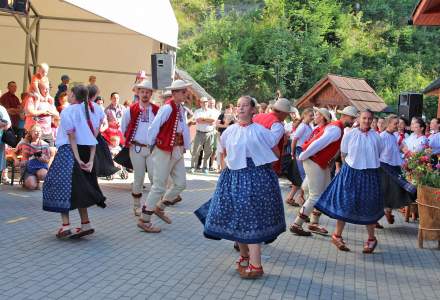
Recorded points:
(396, 190)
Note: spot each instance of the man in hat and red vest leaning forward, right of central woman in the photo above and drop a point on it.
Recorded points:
(317, 154)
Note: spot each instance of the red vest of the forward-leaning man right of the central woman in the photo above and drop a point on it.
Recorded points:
(324, 156)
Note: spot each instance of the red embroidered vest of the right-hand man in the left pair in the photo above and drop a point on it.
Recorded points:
(167, 133)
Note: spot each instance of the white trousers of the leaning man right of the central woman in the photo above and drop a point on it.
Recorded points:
(317, 181)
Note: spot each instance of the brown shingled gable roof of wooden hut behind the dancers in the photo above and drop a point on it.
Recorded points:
(335, 90)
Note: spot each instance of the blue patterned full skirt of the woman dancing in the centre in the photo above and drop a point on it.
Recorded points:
(246, 206)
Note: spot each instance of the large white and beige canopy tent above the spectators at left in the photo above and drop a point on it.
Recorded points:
(110, 39)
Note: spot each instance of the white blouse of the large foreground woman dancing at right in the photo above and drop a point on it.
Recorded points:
(362, 149)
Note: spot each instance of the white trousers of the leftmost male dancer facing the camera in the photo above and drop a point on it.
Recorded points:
(141, 159)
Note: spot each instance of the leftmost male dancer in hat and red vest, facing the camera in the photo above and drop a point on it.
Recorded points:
(135, 126)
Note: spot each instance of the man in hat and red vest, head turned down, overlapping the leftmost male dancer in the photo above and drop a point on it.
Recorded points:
(169, 136)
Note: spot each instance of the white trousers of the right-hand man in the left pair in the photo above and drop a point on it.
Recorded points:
(167, 165)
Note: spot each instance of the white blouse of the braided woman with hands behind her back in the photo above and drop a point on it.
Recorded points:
(73, 119)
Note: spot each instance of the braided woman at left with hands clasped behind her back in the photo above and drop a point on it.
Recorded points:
(71, 182)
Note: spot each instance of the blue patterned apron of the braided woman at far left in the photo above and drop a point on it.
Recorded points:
(57, 187)
